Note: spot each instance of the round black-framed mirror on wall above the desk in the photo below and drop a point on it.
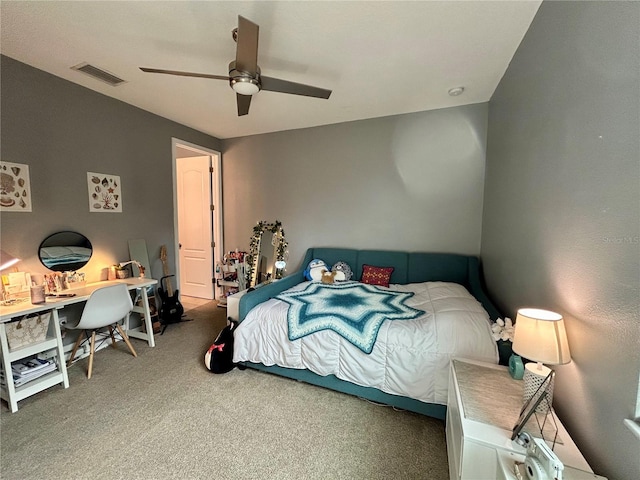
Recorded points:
(65, 251)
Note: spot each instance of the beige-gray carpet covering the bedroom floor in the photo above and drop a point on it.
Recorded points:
(164, 415)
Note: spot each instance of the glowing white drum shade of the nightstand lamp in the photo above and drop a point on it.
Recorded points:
(540, 336)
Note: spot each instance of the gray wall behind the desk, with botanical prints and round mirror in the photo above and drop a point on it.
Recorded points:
(62, 131)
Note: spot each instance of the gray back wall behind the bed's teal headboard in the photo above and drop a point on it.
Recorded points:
(411, 182)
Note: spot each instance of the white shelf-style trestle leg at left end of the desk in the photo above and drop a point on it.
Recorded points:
(11, 393)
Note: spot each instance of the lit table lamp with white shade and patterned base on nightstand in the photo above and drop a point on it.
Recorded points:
(540, 336)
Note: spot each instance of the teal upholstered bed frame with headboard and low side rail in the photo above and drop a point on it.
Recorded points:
(409, 267)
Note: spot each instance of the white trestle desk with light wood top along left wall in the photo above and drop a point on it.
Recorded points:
(13, 394)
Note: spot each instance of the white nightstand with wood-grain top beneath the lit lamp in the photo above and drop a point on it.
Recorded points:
(483, 406)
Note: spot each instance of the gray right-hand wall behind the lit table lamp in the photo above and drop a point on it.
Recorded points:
(561, 227)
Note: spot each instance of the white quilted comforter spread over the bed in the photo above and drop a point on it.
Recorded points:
(410, 357)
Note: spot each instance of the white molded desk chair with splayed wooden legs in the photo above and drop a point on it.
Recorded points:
(105, 307)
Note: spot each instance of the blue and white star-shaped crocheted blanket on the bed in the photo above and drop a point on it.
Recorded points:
(353, 310)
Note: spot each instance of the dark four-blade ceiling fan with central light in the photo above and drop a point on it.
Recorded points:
(244, 73)
